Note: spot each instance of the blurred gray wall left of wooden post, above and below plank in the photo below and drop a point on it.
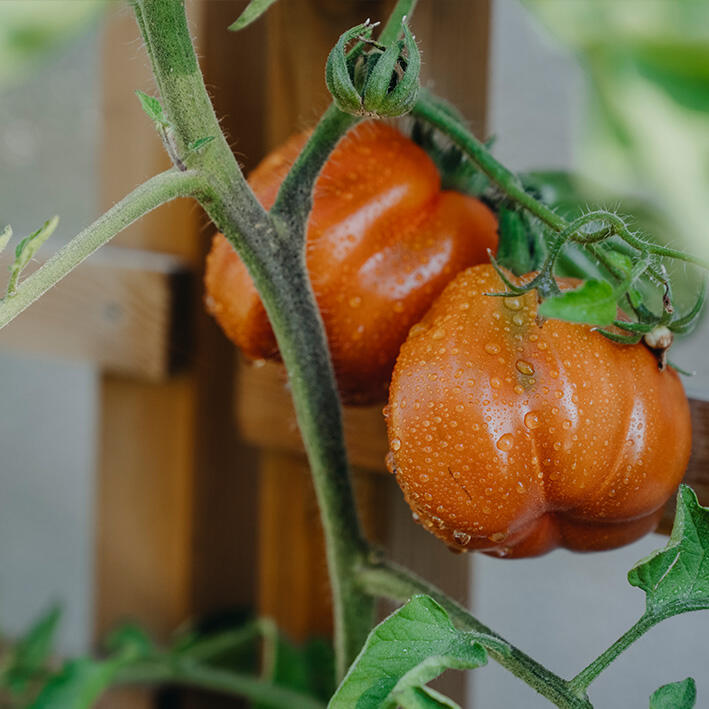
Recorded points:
(48, 412)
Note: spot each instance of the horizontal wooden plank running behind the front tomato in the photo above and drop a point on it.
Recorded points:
(266, 418)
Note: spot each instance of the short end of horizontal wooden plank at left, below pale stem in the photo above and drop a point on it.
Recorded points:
(126, 311)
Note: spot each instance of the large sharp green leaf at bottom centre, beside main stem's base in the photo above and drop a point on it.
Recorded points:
(408, 649)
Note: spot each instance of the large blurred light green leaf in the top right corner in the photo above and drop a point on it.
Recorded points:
(648, 109)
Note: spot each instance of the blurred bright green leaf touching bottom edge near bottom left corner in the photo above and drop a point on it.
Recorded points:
(77, 686)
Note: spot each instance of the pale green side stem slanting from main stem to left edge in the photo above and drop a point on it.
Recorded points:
(151, 194)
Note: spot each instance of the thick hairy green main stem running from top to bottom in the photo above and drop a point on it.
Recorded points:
(275, 258)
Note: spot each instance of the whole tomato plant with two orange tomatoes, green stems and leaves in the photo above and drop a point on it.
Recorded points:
(508, 434)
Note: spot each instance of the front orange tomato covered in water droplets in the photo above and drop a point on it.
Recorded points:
(515, 438)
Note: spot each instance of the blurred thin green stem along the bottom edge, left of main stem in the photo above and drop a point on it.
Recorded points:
(222, 681)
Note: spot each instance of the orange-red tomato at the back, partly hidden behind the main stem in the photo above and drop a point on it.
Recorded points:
(383, 240)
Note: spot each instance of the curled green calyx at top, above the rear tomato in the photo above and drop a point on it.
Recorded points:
(370, 79)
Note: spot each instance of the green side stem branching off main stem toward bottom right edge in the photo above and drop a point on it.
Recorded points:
(386, 579)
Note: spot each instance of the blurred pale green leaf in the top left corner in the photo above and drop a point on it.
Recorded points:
(29, 31)
